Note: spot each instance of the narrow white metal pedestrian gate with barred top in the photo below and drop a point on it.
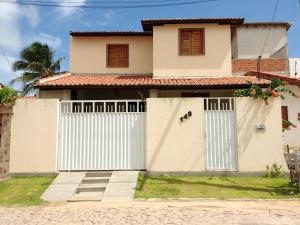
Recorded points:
(220, 134)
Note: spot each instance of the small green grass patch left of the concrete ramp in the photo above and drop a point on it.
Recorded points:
(21, 191)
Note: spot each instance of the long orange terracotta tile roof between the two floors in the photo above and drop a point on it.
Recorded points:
(127, 80)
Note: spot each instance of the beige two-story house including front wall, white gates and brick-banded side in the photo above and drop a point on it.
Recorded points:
(161, 100)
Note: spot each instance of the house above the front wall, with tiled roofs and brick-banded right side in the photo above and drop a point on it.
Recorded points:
(169, 58)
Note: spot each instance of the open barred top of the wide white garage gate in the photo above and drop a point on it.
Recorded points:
(105, 106)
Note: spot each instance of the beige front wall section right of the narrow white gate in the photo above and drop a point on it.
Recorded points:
(258, 148)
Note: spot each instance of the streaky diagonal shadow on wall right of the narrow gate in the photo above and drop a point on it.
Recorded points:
(254, 113)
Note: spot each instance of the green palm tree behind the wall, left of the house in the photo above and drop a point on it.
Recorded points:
(36, 61)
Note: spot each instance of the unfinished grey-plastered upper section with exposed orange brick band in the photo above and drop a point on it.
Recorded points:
(247, 45)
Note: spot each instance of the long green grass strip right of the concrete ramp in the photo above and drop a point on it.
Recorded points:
(214, 187)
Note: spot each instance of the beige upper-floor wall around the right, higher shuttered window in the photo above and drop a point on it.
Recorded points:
(168, 63)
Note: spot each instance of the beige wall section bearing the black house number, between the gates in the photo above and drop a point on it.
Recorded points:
(173, 145)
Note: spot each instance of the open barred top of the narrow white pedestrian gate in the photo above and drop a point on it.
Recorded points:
(219, 104)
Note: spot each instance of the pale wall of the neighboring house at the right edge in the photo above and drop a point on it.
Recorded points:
(292, 137)
